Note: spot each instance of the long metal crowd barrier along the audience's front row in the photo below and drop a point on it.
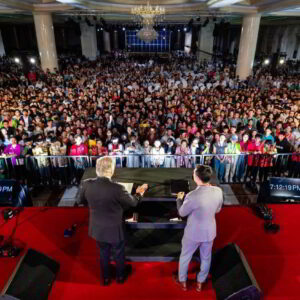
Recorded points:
(68, 170)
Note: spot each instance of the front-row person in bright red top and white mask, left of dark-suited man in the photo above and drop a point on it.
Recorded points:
(80, 163)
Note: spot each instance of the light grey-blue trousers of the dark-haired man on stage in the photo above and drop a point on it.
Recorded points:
(187, 251)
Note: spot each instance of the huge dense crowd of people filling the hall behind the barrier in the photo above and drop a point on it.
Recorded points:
(153, 112)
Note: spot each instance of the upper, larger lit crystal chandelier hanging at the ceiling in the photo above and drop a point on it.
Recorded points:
(148, 14)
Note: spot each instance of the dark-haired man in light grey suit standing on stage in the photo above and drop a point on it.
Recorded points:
(200, 207)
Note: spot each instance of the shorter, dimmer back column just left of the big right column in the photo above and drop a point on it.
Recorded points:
(206, 42)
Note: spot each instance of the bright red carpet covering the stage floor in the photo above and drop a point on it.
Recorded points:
(274, 259)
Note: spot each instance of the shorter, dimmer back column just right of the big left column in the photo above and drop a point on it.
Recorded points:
(88, 41)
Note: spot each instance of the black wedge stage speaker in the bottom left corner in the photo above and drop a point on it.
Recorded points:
(33, 277)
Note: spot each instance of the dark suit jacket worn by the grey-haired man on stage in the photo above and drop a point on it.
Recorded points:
(107, 201)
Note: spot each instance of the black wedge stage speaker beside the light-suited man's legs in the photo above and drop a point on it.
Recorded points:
(232, 277)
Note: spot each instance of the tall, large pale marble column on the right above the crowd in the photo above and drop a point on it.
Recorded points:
(247, 46)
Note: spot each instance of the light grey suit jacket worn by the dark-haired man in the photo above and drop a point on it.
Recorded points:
(200, 206)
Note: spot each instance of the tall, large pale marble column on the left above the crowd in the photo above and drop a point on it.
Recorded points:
(46, 40)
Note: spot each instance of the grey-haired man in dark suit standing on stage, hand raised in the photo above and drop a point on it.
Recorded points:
(107, 201)
